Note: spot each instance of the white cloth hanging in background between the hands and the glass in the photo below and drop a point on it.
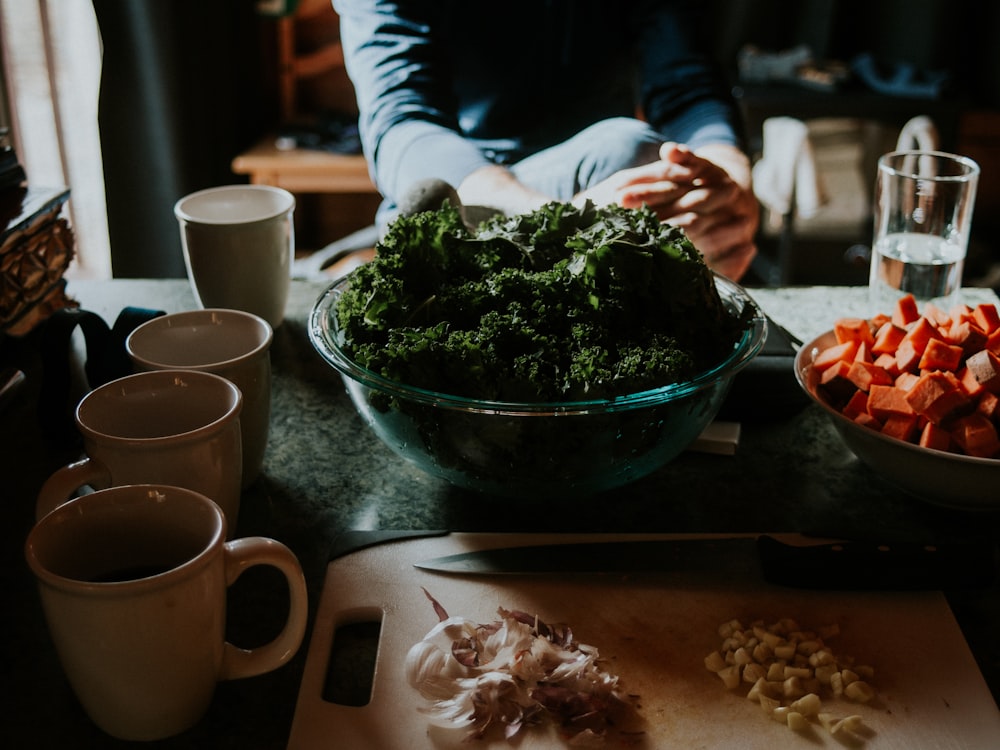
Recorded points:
(787, 170)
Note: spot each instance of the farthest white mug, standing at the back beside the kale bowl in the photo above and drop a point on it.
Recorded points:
(239, 242)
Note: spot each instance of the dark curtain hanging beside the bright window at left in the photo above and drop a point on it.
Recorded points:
(181, 94)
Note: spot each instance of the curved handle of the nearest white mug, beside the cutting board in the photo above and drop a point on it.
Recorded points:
(242, 554)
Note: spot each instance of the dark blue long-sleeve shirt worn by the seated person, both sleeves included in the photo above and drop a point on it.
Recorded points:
(447, 86)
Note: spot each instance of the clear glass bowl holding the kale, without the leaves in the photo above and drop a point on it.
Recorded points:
(537, 449)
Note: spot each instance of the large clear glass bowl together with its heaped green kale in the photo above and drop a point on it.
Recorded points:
(563, 352)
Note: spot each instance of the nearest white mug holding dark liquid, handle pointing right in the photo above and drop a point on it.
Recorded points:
(133, 584)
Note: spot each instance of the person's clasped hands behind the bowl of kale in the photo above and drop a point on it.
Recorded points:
(708, 194)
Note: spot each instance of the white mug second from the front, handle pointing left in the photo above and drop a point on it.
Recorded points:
(176, 427)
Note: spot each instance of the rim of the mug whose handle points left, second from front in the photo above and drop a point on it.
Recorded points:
(233, 411)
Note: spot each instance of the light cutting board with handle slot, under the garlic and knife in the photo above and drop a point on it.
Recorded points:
(654, 630)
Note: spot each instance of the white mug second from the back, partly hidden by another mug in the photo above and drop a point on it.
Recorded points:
(230, 343)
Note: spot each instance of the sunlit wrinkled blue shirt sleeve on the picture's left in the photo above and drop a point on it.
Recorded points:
(408, 121)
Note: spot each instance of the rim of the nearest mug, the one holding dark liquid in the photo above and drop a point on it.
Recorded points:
(131, 492)
